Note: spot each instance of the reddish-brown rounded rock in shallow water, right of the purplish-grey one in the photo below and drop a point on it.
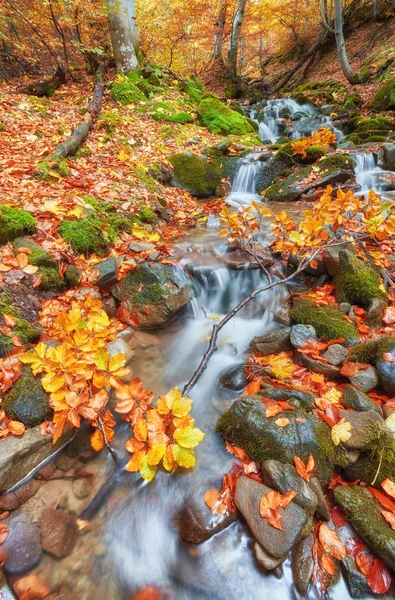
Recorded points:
(58, 532)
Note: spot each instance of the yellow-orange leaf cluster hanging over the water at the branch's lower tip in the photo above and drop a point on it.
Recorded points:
(163, 434)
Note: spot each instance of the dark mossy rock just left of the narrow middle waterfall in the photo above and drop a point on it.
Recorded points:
(195, 174)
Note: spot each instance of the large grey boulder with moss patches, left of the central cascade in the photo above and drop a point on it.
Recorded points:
(154, 294)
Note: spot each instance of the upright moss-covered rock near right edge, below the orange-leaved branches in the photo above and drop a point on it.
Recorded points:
(357, 282)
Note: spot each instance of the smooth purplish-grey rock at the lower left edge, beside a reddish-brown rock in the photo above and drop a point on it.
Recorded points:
(23, 547)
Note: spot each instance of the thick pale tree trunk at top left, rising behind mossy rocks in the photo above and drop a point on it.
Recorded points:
(124, 34)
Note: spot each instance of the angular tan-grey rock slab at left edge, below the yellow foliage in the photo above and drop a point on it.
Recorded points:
(19, 455)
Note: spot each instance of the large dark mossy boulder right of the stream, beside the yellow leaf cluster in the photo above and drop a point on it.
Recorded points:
(245, 425)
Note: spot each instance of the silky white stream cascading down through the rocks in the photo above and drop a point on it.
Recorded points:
(136, 527)
